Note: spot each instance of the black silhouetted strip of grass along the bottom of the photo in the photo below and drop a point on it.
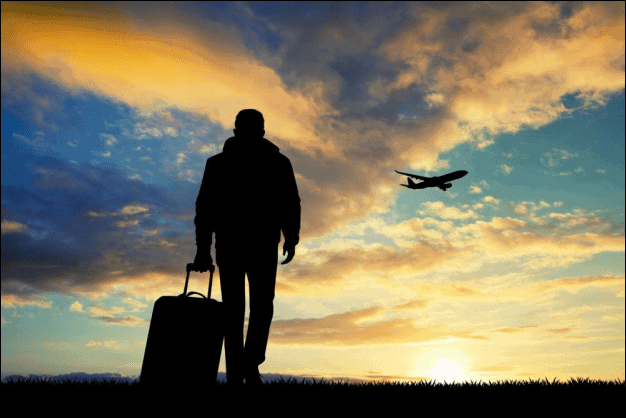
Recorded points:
(323, 396)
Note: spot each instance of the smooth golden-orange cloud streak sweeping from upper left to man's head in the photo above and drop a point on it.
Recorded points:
(103, 48)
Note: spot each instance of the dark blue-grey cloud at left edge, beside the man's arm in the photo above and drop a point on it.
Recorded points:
(76, 252)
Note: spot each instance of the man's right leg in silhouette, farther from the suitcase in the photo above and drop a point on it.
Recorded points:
(262, 283)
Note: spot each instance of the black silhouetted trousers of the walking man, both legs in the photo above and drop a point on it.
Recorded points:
(260, 268)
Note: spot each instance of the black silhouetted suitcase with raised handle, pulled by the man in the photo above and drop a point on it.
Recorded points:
(185, 339)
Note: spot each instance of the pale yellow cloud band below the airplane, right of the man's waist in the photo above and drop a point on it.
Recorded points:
(442, 247)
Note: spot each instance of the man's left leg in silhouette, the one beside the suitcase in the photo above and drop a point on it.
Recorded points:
(232, 282)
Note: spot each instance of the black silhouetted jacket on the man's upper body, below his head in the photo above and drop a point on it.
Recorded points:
(247, 197)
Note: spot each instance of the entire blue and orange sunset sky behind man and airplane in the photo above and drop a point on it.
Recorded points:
(110, 111)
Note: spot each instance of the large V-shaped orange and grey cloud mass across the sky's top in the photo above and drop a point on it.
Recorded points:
(336, 94)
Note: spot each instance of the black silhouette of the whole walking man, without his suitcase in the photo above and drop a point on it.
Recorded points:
(247, 197)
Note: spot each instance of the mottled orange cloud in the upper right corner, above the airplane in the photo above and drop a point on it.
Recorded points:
(513, 75)
